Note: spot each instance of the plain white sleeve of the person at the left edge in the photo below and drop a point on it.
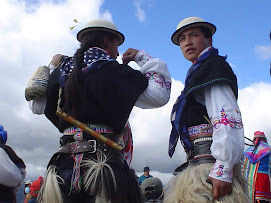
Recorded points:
(11, 175)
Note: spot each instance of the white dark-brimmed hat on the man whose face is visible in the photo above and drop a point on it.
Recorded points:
(188, 23)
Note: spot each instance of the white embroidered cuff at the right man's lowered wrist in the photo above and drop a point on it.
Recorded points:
(221, 172)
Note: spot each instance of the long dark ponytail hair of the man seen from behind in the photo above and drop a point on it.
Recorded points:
(72, 89)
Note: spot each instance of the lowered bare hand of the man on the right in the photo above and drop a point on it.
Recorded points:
(220, 188)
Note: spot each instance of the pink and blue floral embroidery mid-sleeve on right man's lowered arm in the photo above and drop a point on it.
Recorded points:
(224, 120)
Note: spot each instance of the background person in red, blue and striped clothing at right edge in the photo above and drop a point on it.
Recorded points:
(257, 169)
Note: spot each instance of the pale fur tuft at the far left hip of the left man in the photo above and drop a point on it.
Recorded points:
(50, 191)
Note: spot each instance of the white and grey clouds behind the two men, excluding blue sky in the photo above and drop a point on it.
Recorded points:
(30, 39)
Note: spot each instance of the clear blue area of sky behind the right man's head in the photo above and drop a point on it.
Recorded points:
(242, 27)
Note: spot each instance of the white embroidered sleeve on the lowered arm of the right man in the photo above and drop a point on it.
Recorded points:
(228, 133)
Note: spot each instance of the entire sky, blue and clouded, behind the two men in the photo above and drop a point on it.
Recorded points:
(32, 31)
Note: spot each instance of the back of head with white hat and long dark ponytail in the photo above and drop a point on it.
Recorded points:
(94, 34)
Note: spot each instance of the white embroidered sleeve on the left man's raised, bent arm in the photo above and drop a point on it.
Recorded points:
(157, 93)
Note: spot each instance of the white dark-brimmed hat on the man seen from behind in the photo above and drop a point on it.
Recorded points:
(100, 24)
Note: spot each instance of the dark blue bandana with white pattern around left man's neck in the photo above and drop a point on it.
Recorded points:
(94, 58)
